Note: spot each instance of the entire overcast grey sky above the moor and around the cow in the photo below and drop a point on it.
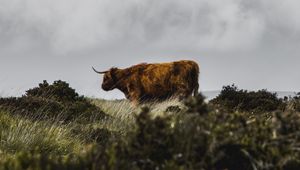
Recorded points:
(252, 43)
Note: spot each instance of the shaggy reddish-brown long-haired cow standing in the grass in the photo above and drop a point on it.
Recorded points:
(145, 82)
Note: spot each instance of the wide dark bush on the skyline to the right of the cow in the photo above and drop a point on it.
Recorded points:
(233, 99)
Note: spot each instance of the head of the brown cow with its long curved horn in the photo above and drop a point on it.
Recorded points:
(109, 78)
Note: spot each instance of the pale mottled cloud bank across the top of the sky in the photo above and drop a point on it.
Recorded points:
(70, 25)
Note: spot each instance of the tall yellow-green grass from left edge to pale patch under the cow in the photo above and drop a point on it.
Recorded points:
(53, 136)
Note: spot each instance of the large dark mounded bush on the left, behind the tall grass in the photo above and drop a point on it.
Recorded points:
(57, 101)
